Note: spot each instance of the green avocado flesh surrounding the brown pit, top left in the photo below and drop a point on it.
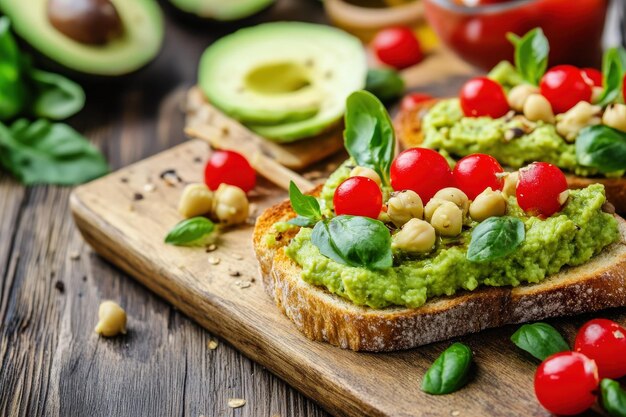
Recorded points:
(139, 43)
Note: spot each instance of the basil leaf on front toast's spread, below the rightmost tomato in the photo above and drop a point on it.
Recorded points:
(495, 238)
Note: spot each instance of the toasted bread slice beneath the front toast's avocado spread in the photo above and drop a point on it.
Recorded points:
(322, 316)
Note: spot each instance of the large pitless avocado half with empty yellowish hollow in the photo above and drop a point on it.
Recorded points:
(285, 80)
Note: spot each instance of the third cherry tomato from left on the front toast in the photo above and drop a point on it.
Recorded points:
(474, 173)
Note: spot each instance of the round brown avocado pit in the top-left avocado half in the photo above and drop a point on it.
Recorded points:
(93, 22)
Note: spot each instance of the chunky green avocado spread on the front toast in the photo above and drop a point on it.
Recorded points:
(568, 238)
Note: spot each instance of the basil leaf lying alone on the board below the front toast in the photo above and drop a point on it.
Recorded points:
(449, 372)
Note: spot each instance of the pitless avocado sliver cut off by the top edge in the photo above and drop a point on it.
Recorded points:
(223, 10)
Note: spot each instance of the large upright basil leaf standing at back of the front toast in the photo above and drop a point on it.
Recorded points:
(369, 136)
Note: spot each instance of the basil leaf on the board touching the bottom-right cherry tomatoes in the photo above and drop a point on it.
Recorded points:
(540, 340)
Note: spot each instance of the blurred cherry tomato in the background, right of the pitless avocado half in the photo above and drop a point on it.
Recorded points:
(397, 47)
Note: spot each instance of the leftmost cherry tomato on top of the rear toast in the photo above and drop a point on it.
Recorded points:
(481, 96)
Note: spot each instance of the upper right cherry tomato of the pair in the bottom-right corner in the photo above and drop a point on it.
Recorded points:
(604, 341)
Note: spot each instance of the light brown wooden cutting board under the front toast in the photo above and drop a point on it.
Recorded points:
(125, 217)
